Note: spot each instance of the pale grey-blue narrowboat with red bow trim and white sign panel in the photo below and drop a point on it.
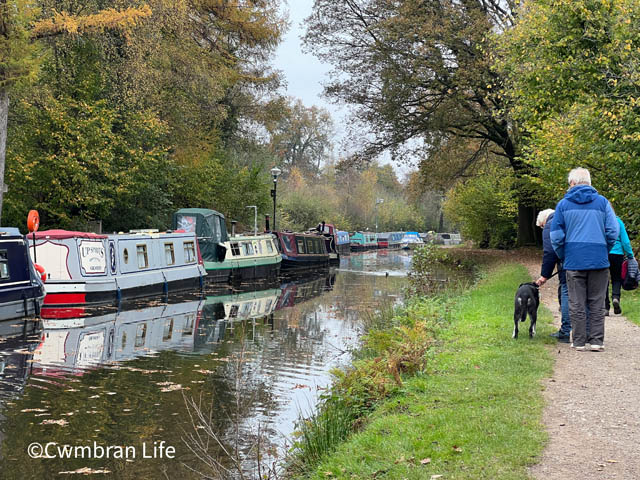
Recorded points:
(89, 268)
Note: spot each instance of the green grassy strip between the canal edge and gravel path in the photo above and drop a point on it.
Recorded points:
(473, 410)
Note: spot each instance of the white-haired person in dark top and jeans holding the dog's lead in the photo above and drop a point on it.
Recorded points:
(549, 262)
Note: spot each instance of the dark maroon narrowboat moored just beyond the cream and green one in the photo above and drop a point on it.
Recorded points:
(302, 250)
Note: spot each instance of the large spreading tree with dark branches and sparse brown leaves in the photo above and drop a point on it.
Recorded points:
(419, 74)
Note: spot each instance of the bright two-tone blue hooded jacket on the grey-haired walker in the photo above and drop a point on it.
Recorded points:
(584, 229)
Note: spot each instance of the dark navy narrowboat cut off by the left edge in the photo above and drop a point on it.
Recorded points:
(21, 287)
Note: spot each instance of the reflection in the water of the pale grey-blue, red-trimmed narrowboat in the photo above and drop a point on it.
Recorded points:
(72, 344)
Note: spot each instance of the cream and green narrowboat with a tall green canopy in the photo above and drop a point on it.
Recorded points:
(229, 259)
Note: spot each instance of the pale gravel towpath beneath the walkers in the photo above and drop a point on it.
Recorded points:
(592, 411)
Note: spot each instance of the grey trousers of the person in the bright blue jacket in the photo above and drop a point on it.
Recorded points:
(587, 291)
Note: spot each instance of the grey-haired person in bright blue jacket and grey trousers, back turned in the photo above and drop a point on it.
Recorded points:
(583, 230)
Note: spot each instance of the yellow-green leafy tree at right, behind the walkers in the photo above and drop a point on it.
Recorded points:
(573, 80)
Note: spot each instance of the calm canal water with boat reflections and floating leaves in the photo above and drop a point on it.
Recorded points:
(166, 390)
